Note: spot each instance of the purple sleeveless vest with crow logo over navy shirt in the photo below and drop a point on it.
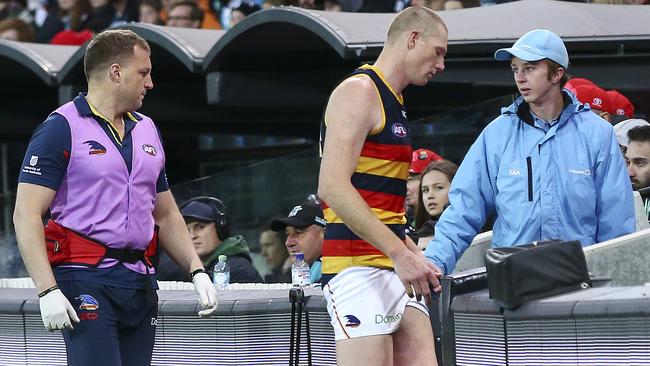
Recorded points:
(98, 197)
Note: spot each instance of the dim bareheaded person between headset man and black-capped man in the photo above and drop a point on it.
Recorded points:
(277, 257)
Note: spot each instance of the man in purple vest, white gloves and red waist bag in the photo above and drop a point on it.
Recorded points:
(99, 168)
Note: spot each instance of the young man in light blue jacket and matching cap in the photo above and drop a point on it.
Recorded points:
(547, 167)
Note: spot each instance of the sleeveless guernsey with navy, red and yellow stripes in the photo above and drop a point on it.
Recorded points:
(380, 179)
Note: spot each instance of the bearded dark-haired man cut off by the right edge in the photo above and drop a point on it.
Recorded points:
(637, 158)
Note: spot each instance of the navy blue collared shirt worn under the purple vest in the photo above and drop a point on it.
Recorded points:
(45, 164)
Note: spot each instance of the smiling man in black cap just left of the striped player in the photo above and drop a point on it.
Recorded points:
(305, 228)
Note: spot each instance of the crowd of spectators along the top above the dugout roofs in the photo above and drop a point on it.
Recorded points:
(73, 22)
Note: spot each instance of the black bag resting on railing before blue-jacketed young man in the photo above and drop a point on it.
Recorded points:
(522, 273)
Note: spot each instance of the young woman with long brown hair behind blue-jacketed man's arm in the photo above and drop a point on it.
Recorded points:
(433, 199)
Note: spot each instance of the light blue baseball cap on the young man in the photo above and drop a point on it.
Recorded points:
(536, 45)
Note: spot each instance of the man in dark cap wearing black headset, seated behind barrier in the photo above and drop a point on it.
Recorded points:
(209, 226)
